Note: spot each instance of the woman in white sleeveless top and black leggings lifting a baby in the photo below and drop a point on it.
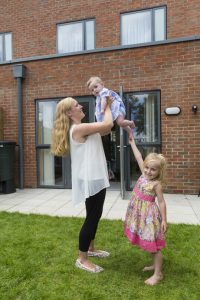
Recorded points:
(89, 170)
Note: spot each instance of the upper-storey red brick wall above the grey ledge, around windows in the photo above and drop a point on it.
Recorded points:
(33, 23)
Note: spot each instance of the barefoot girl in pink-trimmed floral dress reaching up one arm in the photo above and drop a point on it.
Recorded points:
(145, 221)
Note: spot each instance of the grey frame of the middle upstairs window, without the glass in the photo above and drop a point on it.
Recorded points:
(84, 34)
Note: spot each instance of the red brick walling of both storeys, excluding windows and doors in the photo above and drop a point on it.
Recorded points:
(172, 68)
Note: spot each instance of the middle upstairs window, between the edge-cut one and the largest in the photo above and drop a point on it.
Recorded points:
(76, 36)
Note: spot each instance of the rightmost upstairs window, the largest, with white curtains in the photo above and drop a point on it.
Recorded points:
(143, 26)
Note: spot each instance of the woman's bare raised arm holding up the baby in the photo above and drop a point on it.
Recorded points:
(84, 129)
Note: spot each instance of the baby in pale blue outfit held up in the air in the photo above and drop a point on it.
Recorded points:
(96, 87)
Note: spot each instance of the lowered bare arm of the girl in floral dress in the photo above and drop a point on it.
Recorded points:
(162, 206)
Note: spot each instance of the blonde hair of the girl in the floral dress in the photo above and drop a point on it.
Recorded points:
(160, 159)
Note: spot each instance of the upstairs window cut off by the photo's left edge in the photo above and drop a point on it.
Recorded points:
(5, 46)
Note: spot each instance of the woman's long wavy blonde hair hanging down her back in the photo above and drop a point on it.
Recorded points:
(60, 134)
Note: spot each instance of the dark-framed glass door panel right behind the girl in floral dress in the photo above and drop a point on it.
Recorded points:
(144, 109)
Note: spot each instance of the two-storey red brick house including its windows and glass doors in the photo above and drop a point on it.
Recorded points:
(148, 51)
